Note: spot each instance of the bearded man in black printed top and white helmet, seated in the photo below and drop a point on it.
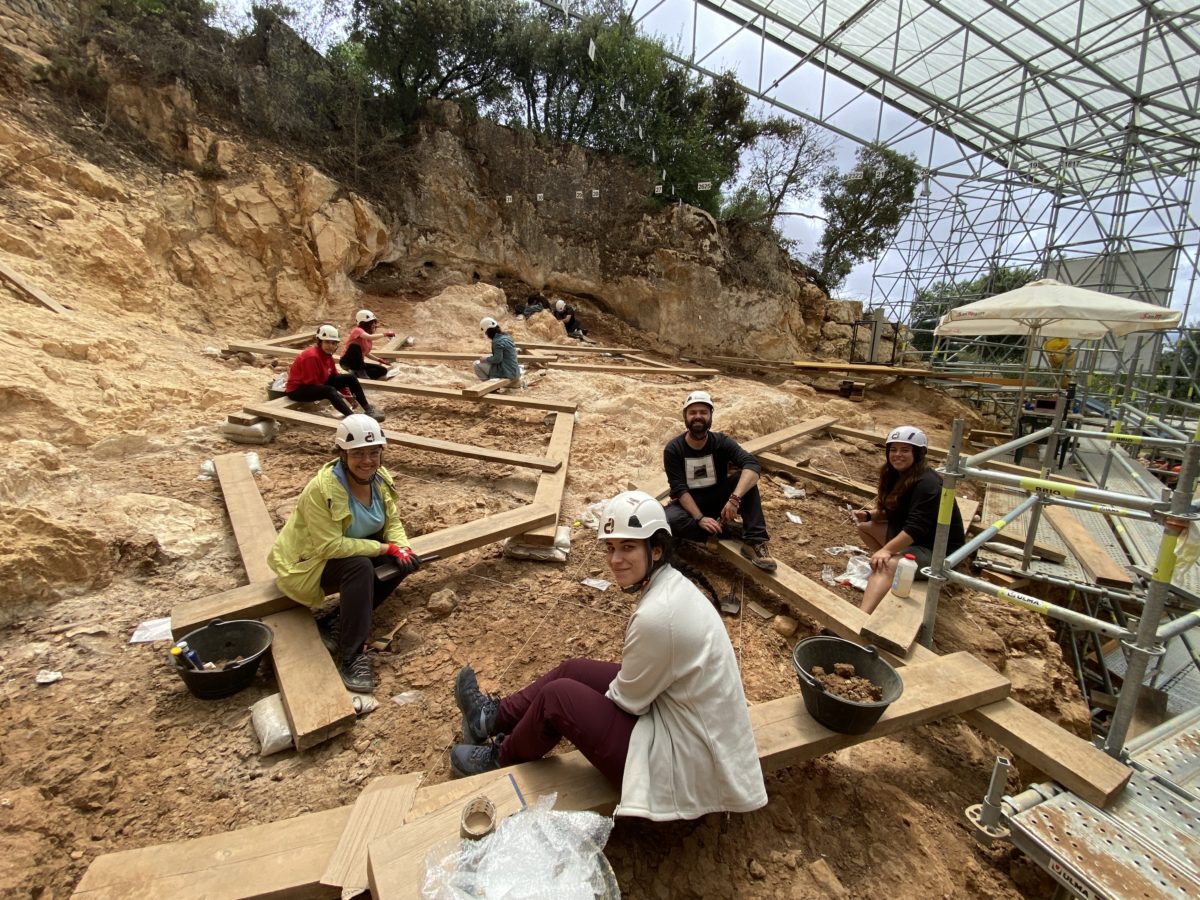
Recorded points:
(706, 497)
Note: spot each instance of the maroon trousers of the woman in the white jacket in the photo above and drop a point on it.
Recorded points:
(568, 703)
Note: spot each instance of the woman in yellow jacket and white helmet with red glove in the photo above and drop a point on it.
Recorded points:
(344, 527)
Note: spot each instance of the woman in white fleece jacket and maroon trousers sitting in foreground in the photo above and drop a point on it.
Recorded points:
(668, 725)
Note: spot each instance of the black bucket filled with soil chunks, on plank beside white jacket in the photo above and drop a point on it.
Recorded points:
(845, 717)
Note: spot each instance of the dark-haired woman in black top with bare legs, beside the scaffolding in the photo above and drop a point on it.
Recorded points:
(904, 518)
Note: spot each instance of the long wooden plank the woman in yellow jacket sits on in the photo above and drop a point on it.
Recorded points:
(265, 598)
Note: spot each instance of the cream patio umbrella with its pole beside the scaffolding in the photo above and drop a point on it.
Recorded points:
(1051, 309)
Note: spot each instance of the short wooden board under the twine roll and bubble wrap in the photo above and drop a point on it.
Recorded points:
(397, 862)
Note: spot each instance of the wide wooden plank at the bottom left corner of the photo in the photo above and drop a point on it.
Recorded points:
(278, 861)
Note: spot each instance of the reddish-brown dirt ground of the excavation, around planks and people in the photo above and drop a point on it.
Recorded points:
(112, 527)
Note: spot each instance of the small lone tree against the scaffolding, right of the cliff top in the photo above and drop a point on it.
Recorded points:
(865, 209)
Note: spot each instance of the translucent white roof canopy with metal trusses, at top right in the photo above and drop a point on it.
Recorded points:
(1084, 94)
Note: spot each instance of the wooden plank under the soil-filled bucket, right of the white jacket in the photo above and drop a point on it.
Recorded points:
(945, 686)
